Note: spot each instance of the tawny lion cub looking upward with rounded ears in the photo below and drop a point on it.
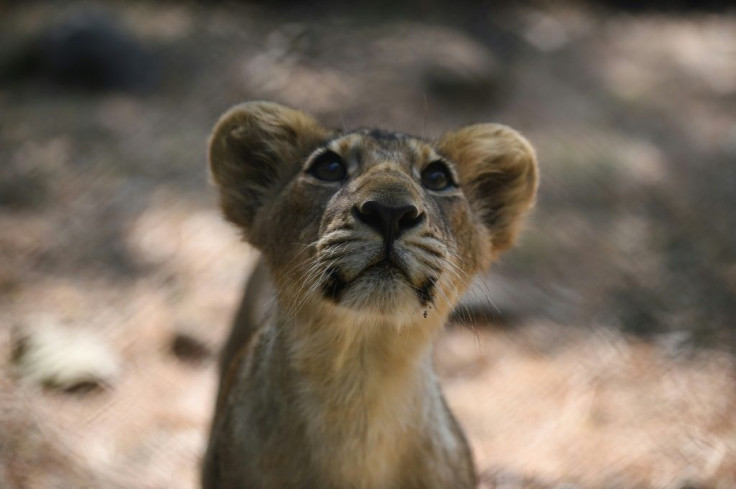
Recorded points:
(370, 238)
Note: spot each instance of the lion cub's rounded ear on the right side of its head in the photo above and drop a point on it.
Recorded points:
(498, 173)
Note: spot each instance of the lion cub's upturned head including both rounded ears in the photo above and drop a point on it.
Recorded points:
(369, 221)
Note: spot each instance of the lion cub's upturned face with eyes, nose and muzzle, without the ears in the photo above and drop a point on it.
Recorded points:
(387, 211)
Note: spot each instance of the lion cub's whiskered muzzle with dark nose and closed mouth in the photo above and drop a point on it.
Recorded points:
(381, 254)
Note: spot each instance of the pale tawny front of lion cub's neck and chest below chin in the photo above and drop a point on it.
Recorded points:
(364, 389)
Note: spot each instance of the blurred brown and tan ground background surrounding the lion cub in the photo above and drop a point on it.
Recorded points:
(597, 354)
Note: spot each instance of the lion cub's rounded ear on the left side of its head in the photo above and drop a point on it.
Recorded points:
(254, 150)
